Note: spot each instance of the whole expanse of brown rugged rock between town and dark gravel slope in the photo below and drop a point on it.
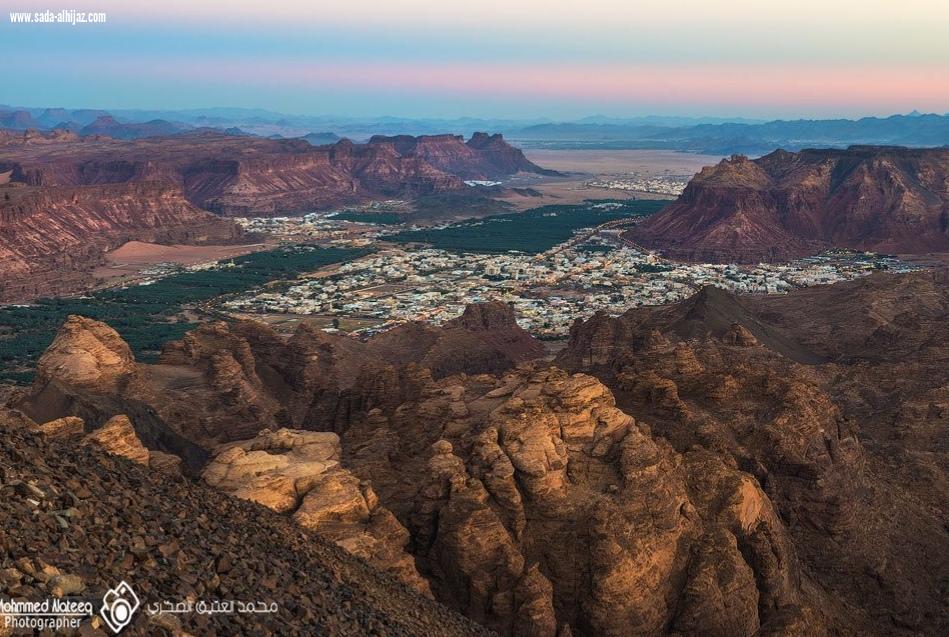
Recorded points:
(754, 465)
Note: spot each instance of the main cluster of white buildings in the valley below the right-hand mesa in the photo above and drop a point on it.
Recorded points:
(548, 291)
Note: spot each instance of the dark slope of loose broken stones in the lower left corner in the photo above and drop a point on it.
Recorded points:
(77, 521)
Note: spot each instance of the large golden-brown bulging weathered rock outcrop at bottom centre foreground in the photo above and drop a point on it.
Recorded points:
(541, 507)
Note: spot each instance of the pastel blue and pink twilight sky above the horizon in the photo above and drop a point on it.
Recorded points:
(557, 59)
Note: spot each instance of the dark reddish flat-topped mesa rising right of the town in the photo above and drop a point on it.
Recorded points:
(785, 205)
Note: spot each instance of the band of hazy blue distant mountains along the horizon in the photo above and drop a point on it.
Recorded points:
(702, 134)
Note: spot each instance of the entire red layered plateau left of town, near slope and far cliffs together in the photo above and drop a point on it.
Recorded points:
(66, 200)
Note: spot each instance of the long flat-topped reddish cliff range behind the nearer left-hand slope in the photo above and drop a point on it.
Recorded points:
(241, 175)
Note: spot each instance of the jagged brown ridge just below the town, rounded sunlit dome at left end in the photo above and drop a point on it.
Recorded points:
(225, 382)
